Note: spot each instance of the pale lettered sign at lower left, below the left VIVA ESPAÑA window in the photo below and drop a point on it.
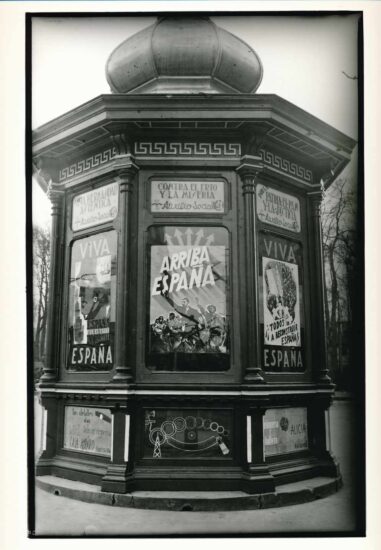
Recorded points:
(88, 429)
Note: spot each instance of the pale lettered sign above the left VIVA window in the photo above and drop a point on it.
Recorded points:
(94, 207)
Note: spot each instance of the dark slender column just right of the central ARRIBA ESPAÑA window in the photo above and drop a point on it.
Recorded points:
(248, 174)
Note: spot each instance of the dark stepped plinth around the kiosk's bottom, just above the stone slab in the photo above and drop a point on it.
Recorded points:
(256, 479)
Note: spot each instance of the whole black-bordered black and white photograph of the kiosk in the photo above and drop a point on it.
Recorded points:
(195, 273)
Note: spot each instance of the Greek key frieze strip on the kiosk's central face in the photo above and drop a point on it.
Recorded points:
(188, 149)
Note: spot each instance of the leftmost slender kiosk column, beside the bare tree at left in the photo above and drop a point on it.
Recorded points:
(50, 369)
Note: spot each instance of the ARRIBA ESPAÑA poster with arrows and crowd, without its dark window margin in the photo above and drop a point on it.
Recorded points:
(188, 293)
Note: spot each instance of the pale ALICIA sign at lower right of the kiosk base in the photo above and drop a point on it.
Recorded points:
(285, 431)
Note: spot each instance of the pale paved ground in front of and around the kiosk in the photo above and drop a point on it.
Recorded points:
(56, 515)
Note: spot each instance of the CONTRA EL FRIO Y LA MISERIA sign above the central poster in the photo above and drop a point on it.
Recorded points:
(188, 196)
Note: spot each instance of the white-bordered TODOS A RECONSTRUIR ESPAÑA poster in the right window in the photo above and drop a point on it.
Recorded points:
(281, 303)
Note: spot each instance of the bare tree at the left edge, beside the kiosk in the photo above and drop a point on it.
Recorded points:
(41, 267)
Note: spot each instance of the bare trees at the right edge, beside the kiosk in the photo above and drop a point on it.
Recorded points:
(340, 255)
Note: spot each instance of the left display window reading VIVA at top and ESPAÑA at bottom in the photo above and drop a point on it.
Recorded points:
(92, 302)
